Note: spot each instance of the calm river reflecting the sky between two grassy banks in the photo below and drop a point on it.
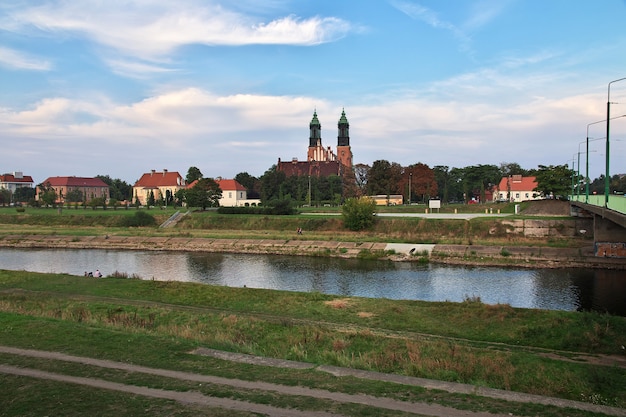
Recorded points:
(551, 289)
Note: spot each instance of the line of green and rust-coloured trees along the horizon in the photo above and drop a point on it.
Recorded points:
(417, 183)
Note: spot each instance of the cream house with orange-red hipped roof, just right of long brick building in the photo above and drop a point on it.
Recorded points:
(161, 185)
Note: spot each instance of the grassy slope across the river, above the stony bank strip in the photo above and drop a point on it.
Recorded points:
(210, 224)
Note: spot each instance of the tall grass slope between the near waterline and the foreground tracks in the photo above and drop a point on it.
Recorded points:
(496, 346)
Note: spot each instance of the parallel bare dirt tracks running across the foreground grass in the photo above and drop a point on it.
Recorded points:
(201, 399)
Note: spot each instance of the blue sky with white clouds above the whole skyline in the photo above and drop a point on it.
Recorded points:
(119, 88)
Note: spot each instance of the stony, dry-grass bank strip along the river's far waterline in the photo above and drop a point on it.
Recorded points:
(518, 256)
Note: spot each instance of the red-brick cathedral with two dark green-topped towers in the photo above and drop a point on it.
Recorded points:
(321, 161)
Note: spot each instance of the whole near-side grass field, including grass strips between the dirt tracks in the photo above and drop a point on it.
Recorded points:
(157, 324)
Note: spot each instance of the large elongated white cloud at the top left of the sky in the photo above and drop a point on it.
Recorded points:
(148, 30)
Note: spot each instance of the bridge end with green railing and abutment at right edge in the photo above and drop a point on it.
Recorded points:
(609, 222)
